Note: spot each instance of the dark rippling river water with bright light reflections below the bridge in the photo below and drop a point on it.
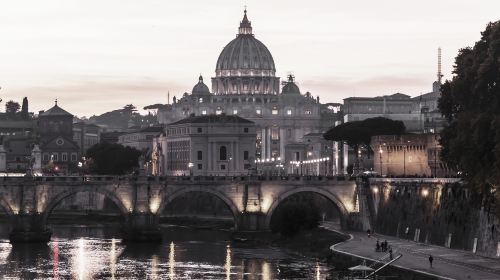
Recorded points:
(82, 252)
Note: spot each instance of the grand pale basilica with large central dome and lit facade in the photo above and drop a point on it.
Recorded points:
(245, 84)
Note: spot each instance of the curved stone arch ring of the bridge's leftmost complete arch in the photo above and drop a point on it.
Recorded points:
(55, 200)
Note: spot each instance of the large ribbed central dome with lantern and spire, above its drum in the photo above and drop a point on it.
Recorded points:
(245, 55)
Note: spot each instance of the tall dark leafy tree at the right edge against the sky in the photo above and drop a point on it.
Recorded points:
(470, 102)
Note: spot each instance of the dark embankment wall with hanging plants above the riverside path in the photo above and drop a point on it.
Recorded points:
(441, 214)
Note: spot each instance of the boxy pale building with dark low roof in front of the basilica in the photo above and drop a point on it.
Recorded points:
(216, 145)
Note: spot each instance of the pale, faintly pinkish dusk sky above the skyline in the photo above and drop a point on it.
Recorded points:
(98, 55)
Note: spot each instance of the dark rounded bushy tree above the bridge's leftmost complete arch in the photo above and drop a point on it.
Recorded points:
(106, 158)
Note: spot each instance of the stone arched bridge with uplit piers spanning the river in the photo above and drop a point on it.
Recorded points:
(28, 201)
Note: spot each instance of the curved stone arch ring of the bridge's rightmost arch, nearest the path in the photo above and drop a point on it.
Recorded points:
(330, 196)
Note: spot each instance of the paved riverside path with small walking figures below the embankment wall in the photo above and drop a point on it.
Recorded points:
(448, 263)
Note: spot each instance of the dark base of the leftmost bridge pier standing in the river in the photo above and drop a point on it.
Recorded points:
(28, 228)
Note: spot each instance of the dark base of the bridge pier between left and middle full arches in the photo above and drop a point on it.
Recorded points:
(142, 227)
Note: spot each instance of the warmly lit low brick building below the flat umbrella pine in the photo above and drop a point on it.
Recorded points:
(408, 155)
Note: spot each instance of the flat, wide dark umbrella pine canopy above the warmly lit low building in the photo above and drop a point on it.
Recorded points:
(360, 132)
